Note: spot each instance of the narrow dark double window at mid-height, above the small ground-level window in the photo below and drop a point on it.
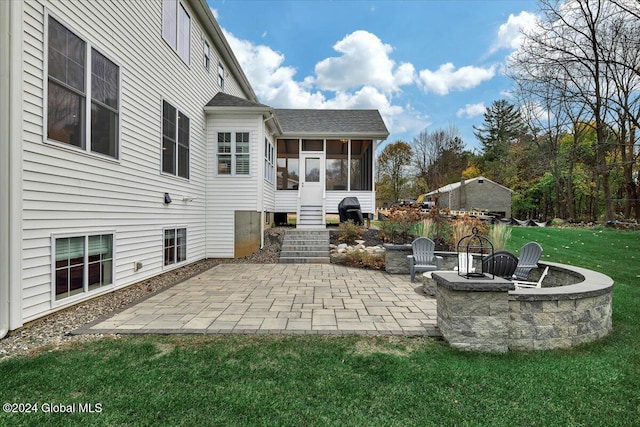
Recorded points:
(175, 141)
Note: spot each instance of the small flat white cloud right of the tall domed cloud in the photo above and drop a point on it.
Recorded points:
(446, 78)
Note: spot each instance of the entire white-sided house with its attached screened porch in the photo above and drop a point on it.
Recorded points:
(132, 143)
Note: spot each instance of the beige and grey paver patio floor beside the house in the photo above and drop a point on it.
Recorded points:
(281, 299)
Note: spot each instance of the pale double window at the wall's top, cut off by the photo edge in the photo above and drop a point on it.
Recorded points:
(176, 28)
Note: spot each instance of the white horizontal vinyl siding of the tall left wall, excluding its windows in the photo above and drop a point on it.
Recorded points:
(70, 191)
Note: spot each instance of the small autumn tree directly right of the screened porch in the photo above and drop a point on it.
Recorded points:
(393, 163)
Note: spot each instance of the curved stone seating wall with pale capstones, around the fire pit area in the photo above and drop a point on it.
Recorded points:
(479, 318)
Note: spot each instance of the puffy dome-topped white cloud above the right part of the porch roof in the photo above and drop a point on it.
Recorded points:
(364, 61)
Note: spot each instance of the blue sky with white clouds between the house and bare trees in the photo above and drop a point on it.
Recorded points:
(423, 64)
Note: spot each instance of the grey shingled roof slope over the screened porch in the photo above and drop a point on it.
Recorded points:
(341, 123)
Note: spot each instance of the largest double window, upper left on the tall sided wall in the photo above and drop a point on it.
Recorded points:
(83, 100)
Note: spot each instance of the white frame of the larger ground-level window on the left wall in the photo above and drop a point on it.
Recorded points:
(86, 292)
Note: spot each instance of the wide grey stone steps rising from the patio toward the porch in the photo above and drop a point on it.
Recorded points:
(305, 246)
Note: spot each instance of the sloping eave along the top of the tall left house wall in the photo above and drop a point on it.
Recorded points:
(214, 31)
